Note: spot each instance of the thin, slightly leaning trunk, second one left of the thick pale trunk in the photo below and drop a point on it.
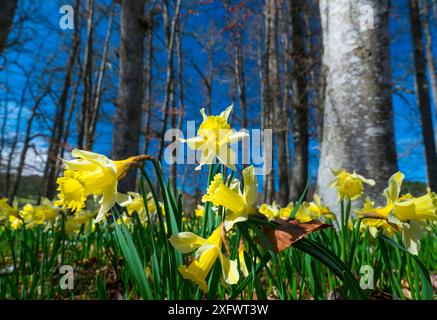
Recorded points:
(279, 118)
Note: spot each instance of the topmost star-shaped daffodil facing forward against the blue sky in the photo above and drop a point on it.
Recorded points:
(214, 138)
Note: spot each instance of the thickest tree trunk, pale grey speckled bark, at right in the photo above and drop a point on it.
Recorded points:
(358, 123)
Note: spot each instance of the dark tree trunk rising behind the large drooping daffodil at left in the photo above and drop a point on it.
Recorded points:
(127, 119)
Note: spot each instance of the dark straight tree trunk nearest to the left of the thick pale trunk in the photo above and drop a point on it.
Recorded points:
(300, 102)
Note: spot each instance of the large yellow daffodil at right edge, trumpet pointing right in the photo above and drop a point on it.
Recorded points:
(404, 214)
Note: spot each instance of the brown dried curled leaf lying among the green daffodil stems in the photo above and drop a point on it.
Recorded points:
(289, 231)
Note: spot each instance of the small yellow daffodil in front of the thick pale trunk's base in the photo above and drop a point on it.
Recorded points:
(349, 185)
